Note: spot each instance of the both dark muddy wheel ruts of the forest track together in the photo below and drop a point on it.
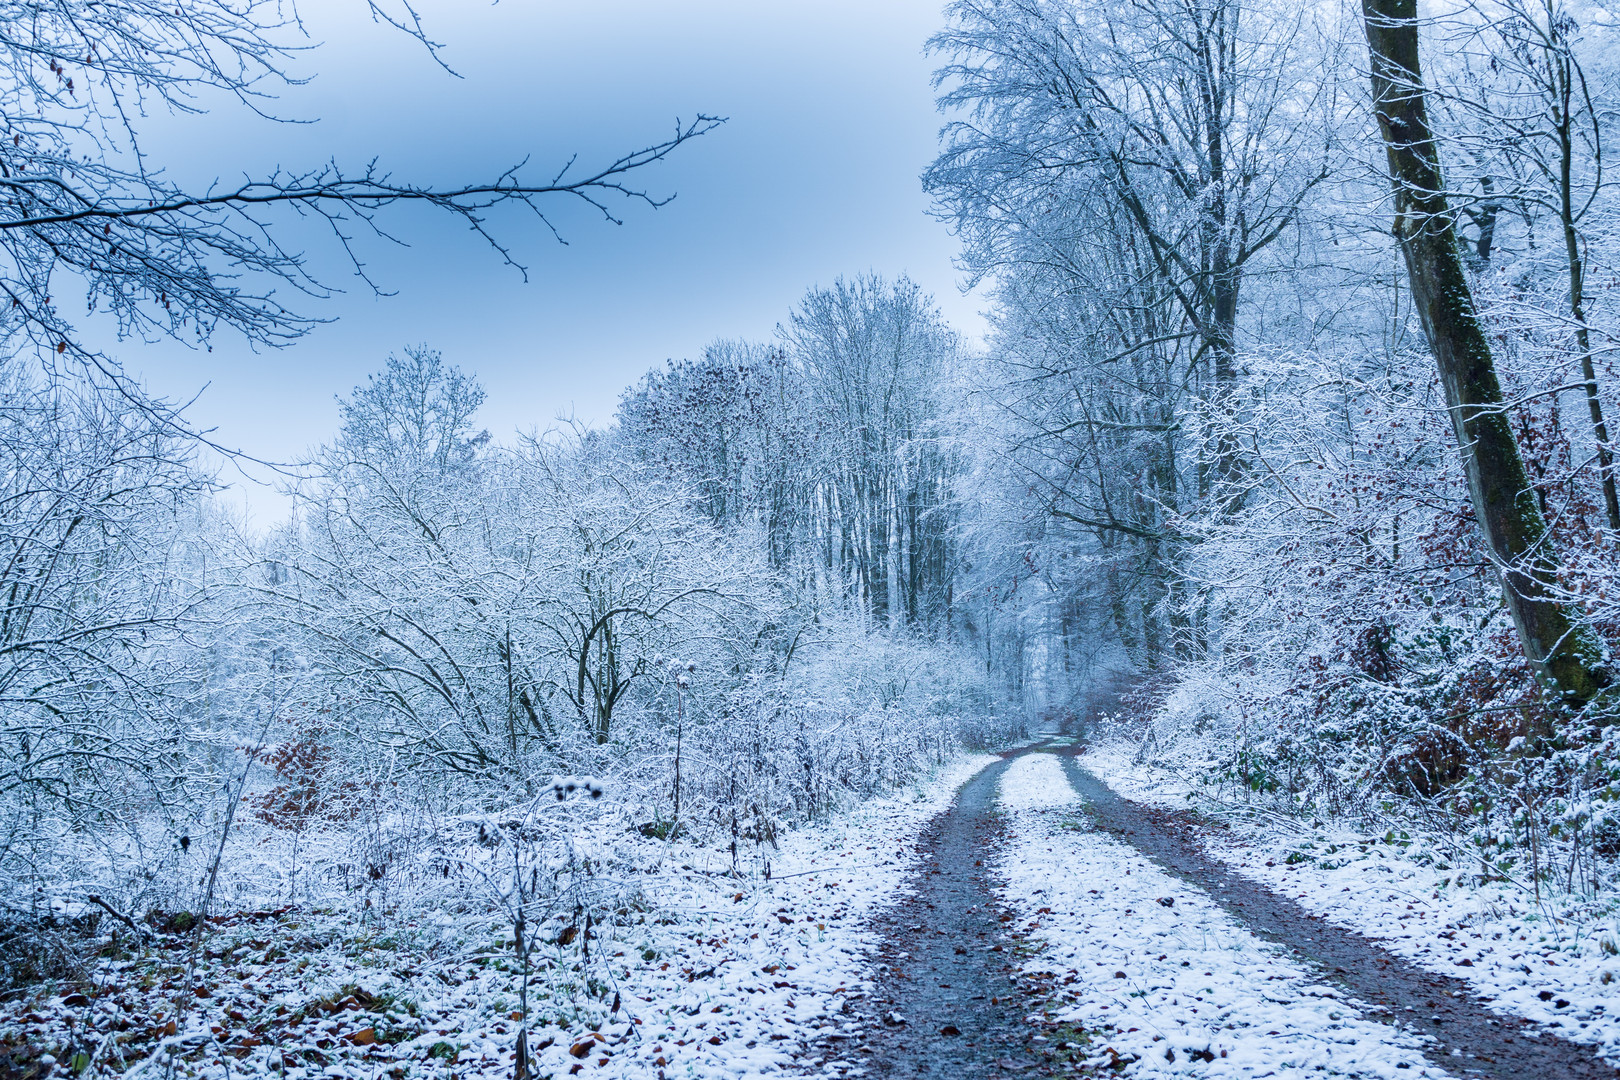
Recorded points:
(949, 1000)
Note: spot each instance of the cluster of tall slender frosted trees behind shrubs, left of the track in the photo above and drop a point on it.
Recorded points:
(835, 444)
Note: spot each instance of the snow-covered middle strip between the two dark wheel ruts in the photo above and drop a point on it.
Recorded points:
(1169, 984)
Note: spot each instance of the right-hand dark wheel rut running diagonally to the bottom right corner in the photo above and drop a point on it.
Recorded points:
(1470, 1040)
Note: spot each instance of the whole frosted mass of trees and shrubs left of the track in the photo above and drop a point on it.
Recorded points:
(733, 606)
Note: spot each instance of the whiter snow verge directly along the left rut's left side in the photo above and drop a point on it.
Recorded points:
(772, 974)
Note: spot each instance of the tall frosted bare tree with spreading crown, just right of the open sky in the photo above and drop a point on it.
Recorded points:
(1195, 117)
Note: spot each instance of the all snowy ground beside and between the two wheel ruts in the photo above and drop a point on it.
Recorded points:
(727, 977)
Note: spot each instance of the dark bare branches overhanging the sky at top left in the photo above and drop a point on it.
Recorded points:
(82, 202)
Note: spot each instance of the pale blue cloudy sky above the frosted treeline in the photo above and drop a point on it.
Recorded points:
(814, 176)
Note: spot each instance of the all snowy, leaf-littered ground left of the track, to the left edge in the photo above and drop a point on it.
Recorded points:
(701, 972)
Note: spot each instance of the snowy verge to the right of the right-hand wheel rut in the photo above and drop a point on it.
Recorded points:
(1551, 958)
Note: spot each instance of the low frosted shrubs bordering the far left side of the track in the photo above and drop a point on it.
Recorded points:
(853, 713)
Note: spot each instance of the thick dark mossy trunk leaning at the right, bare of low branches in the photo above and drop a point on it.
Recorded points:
(1558, 647)
